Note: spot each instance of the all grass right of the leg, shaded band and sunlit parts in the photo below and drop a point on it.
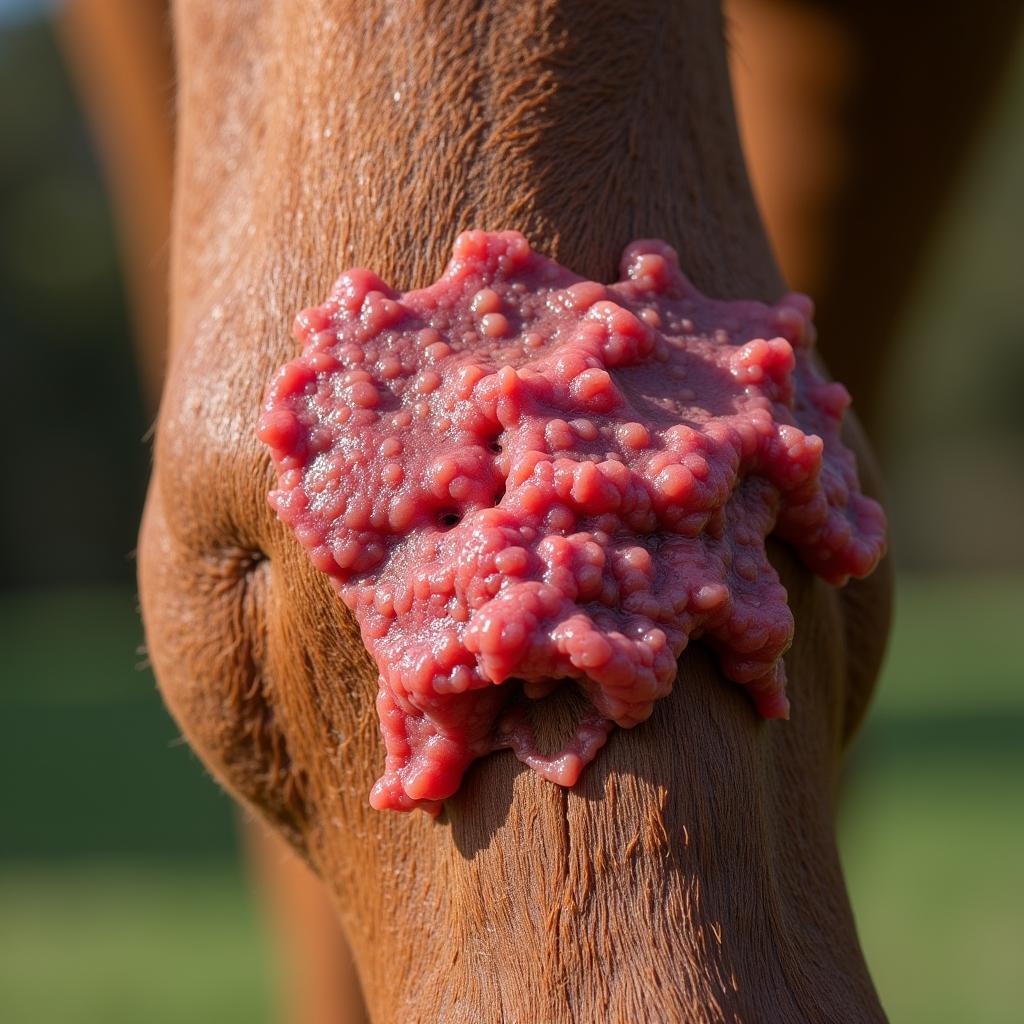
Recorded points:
(933, 823)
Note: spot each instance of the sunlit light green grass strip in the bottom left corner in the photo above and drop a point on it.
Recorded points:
(121, 945)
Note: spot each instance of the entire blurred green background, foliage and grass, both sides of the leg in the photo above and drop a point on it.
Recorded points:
(122, 899)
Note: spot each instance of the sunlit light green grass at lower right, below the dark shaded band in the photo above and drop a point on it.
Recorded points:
(933, 852)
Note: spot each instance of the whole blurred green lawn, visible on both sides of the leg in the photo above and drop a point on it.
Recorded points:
(120, 900)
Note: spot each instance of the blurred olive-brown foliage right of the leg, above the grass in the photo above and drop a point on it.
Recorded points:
(954, 448)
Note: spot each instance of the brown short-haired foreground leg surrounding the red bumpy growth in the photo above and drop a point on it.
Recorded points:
(692, 875)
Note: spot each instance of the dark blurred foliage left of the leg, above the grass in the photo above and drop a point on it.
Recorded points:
(71, 392)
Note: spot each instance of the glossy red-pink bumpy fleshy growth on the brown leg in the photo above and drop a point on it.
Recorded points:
(518, 474)
